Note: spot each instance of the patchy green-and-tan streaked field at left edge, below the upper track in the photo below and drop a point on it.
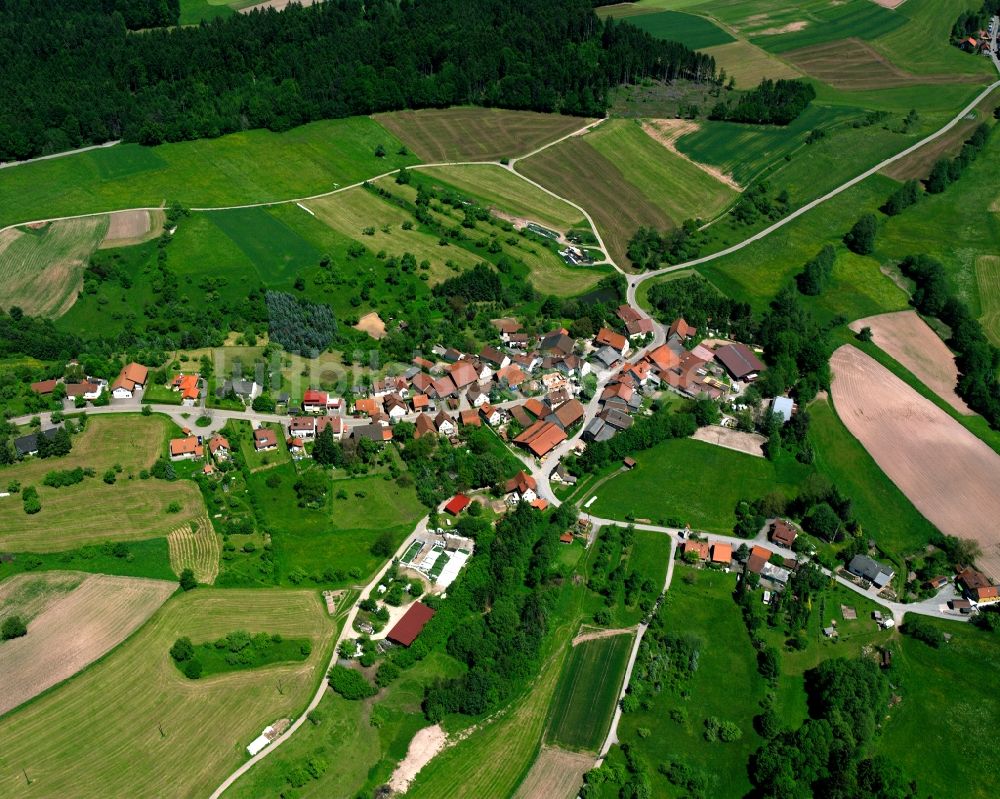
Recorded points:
(42, 269)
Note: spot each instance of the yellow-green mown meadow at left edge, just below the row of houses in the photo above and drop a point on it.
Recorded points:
(92, 511)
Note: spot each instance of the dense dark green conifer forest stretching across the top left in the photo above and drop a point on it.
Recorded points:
(74, 75)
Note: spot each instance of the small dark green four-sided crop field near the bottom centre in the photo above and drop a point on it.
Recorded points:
(587, 693)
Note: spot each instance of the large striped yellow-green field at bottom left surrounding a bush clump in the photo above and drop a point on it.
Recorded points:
(133, 725)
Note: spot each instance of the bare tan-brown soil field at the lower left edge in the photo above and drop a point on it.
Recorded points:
(72, 629)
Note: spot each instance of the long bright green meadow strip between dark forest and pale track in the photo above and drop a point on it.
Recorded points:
(247, 167)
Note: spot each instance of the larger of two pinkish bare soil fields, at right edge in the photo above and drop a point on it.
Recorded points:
(947, 473)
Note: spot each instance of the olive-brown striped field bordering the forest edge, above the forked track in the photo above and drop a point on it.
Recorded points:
(476, 134)
